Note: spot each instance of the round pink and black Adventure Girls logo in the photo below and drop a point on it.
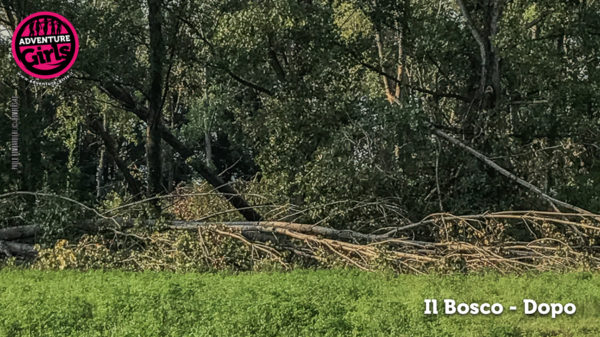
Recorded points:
(45, 45)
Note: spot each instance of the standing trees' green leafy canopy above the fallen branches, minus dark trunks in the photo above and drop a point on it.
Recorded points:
(291, 97)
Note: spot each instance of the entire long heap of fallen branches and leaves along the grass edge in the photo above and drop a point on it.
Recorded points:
(503, 241)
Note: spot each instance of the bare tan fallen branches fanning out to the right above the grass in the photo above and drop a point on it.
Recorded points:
(472, 242)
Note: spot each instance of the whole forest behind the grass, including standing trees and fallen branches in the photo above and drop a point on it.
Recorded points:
(411, 135)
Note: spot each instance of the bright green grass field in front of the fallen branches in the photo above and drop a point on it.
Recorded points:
(299, 303)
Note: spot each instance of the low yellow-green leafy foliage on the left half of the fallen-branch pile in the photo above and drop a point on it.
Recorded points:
(136, 251)
